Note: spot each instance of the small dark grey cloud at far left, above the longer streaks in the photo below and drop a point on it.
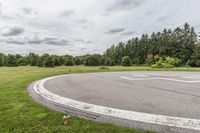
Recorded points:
(12, 31)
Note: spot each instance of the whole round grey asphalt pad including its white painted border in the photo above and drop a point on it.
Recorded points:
(161, 101)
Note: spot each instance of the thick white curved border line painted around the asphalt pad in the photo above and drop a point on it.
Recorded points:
(123, 114)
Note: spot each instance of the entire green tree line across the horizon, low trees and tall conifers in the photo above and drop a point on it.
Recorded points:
(177, 47)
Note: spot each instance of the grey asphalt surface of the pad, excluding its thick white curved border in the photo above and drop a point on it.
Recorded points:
(174, 94)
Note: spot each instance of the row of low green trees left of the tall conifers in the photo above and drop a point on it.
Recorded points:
(47, 60)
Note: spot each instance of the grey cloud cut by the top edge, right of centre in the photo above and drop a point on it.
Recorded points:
(121, 5)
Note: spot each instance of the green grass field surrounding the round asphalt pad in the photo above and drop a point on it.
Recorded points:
(20, 114)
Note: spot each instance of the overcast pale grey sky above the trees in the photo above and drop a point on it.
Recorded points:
(77, 27)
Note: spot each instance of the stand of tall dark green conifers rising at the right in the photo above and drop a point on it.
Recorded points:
(181, 43)
